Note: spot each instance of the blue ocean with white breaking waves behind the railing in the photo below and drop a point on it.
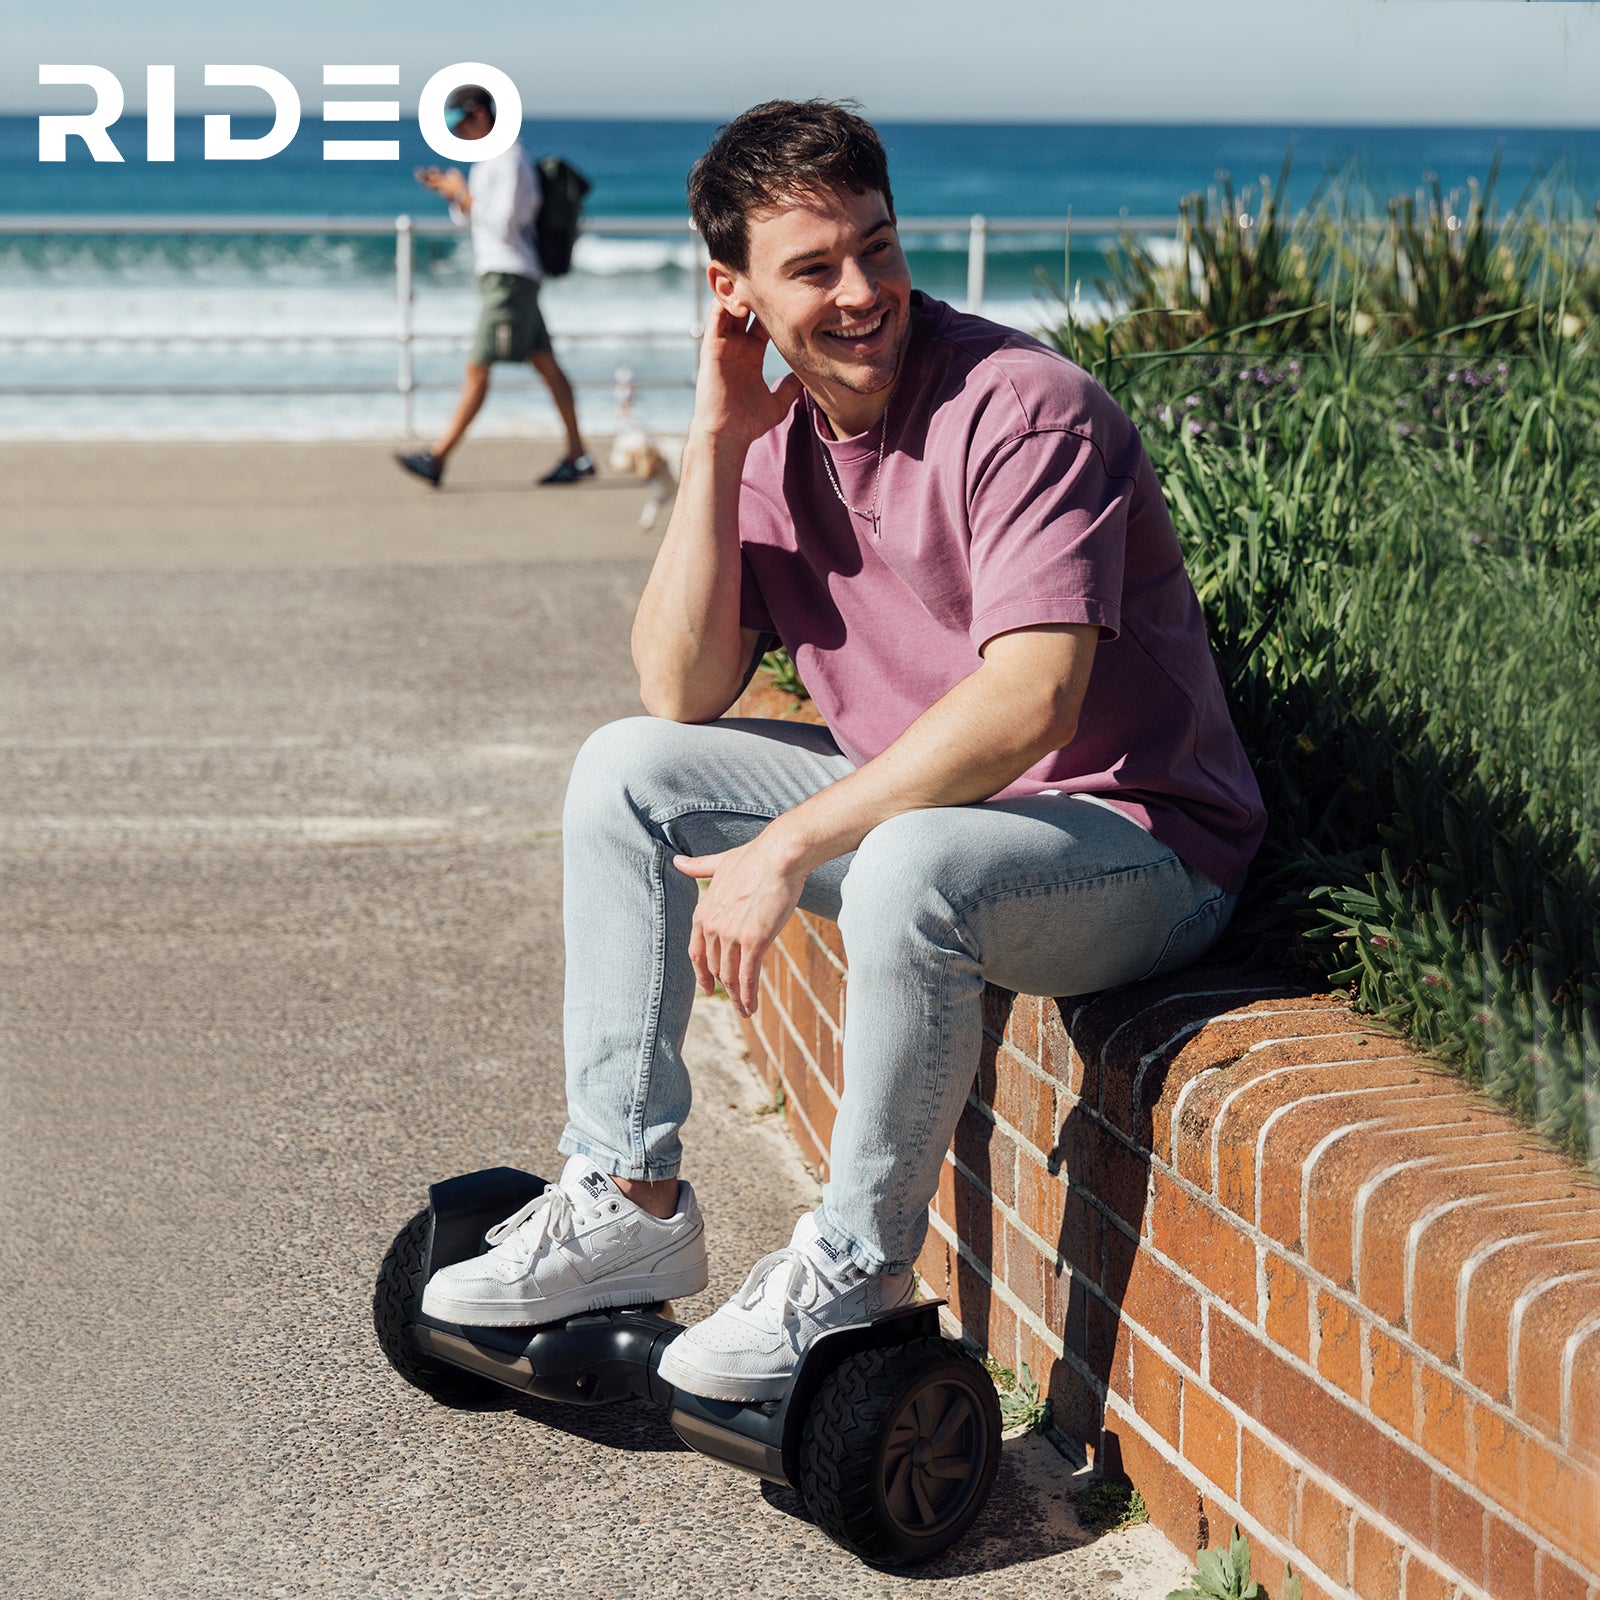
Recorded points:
(108, 335)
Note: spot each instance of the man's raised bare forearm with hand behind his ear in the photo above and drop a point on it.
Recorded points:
(689, 647)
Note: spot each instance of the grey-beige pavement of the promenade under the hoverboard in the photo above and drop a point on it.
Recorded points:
(282, 748)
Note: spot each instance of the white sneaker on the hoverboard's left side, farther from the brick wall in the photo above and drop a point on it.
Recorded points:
(582, 1246)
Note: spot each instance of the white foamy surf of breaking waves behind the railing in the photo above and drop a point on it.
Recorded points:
(278, 359)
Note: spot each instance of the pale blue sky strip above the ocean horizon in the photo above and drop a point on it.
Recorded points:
(1487, 63)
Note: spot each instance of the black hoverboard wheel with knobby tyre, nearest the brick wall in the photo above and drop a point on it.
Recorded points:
(900, 1450)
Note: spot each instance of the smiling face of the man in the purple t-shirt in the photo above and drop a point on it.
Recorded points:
(830, 282)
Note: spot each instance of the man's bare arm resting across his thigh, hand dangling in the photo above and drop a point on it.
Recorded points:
(972, 743)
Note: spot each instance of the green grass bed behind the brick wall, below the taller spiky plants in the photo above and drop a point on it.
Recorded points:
(1399, 556)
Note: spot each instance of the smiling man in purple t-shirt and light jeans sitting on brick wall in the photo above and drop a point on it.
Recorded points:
(1028, 774)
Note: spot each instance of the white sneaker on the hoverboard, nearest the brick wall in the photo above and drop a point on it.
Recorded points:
(750, 1348)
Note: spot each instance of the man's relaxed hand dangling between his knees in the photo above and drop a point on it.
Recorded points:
(751, 895)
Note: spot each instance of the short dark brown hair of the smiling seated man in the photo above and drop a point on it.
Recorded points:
(775, 151)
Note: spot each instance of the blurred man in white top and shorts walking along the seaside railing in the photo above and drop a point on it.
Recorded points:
(498, 202)
